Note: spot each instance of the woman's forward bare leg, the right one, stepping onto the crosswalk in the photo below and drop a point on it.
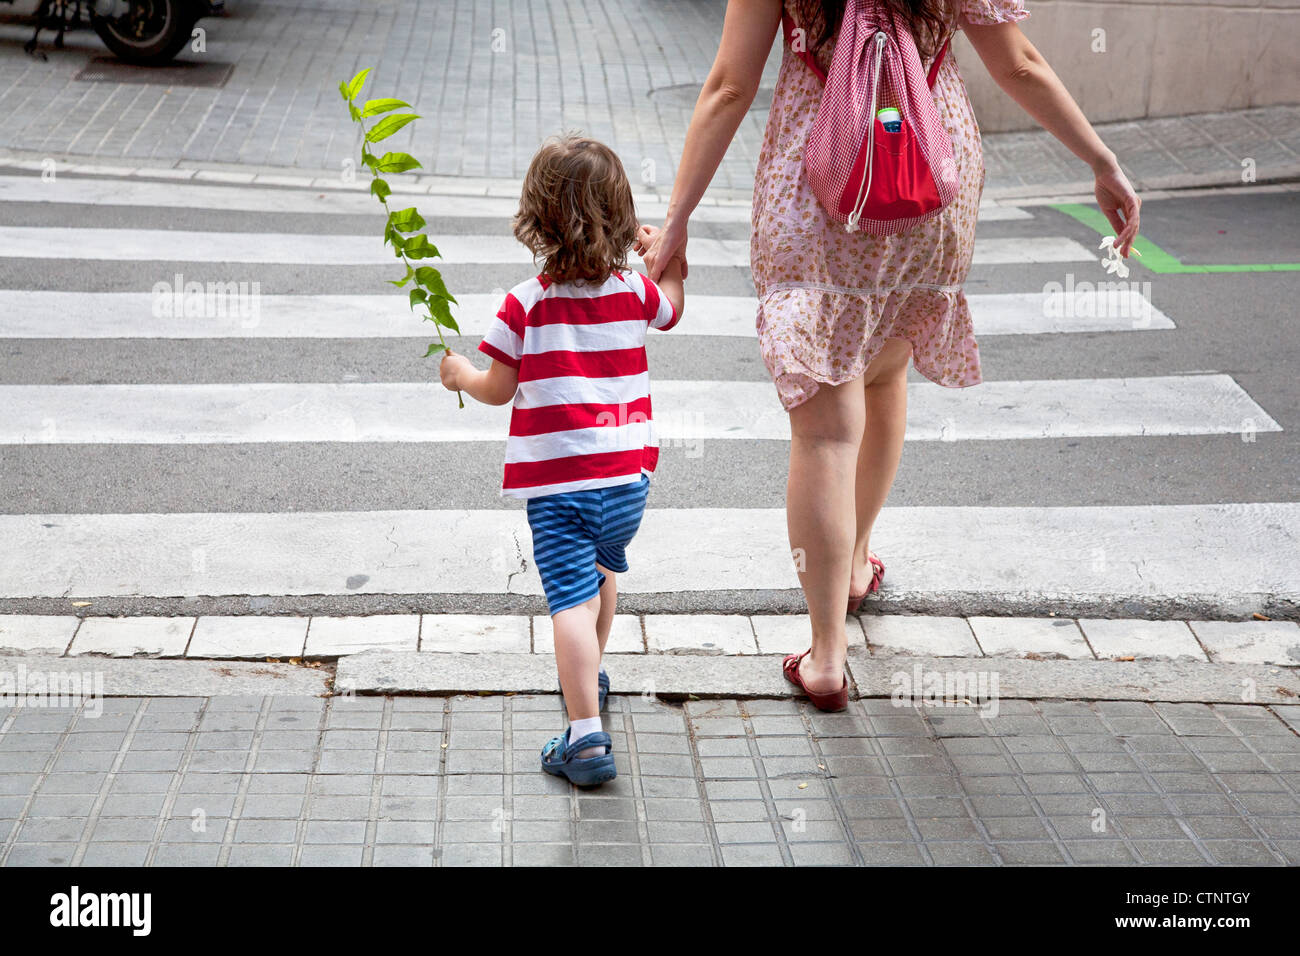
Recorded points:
(886, 386)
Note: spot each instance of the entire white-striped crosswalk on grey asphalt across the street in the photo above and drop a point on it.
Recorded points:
(300, 357)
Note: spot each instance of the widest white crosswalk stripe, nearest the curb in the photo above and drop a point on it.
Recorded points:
(1063, 553)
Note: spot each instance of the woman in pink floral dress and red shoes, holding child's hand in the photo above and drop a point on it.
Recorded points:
(840, 314)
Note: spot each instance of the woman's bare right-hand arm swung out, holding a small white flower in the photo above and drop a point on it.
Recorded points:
(1028, 79)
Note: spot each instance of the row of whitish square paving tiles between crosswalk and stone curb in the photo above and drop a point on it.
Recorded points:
(258, 638)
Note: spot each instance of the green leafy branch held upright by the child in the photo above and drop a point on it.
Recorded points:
(404, 227)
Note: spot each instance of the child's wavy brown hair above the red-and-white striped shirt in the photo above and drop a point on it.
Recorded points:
(577, 211)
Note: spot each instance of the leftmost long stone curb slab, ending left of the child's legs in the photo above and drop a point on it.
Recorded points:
(116, 677)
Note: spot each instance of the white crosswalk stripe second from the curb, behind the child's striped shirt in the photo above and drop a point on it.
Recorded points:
(686, 412)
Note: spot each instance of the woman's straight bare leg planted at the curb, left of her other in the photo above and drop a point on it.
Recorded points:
(826, 436)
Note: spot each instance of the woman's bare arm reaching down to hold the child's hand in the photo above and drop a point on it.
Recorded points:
(729, 93)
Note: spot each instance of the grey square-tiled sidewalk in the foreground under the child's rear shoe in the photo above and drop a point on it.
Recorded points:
(375, 781)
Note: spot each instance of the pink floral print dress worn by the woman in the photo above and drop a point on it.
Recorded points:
(829, 300)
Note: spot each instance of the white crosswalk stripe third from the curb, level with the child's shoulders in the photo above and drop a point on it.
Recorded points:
(25, 314)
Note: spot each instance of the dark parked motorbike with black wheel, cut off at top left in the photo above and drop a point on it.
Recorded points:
(141, 32)
